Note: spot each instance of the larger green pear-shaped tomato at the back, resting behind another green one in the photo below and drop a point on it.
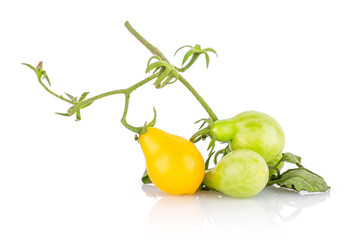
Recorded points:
(251, 130)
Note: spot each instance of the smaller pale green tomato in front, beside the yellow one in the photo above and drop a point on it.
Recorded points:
(242, 173)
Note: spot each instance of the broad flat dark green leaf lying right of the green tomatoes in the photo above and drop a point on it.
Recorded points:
(300, 179)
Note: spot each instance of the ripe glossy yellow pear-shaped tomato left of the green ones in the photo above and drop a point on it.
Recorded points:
(173, 163)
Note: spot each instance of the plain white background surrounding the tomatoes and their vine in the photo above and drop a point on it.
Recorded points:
(59, 179)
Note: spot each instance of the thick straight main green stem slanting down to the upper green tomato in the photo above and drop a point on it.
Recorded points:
(157, 52)
